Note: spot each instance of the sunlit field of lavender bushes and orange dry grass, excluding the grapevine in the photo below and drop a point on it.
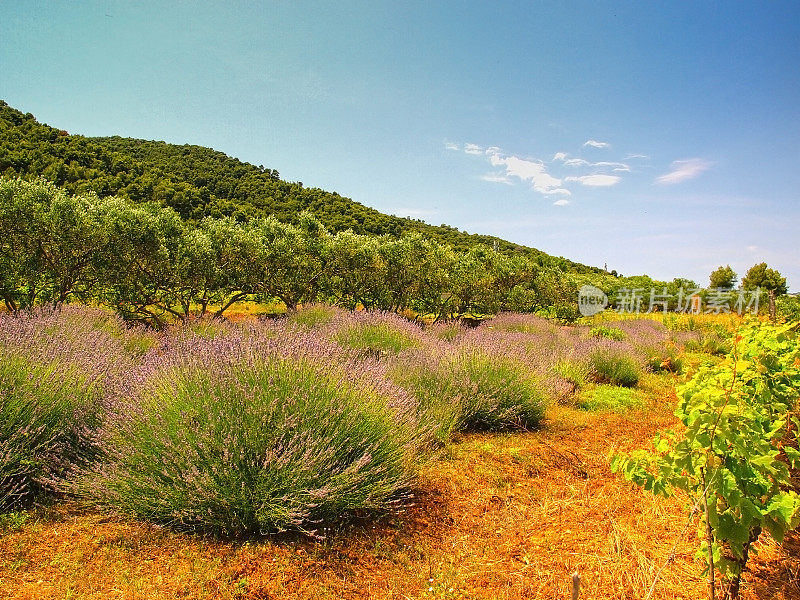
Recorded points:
(339, 454)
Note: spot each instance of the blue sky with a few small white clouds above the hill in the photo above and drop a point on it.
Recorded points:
(655, 137)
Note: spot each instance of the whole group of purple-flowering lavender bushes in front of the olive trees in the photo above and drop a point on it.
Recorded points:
(264, 426)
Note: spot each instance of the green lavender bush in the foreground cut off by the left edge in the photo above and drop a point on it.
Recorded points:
(48, 416)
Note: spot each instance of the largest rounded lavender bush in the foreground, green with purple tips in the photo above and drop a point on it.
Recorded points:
(253, 445)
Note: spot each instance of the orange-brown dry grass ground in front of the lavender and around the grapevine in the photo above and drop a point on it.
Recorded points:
(499, 516)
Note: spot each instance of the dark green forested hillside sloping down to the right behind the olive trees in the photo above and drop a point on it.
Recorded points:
(199, 182)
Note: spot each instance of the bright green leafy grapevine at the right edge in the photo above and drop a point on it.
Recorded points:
(734, 454)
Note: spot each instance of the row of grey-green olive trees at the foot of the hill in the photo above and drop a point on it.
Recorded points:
(151, 265)
